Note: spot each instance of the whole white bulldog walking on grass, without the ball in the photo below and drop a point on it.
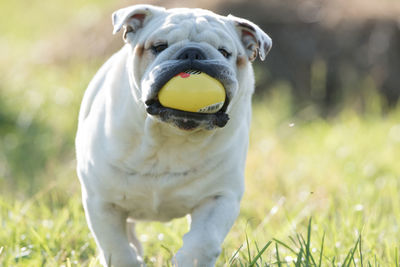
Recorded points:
(140, 161)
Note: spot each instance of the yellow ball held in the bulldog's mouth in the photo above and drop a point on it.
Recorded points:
(193, 91)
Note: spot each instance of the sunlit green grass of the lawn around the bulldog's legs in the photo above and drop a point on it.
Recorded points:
(342, 173)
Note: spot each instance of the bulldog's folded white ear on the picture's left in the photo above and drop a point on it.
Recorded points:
(133, 18)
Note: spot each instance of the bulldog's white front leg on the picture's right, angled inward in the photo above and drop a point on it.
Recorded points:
(211, 222)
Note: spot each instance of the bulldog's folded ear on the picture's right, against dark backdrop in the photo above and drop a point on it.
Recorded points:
(255, 41)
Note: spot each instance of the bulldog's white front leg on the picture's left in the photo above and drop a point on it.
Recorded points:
(108, 225)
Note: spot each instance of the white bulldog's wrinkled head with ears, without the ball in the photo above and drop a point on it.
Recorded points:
(167, 42)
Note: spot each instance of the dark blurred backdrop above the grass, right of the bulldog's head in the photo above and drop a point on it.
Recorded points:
(328, 49)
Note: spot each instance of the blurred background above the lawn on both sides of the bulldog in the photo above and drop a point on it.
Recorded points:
(328, 56)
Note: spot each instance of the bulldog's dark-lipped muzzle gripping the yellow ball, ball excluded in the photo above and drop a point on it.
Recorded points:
(182, 119)
